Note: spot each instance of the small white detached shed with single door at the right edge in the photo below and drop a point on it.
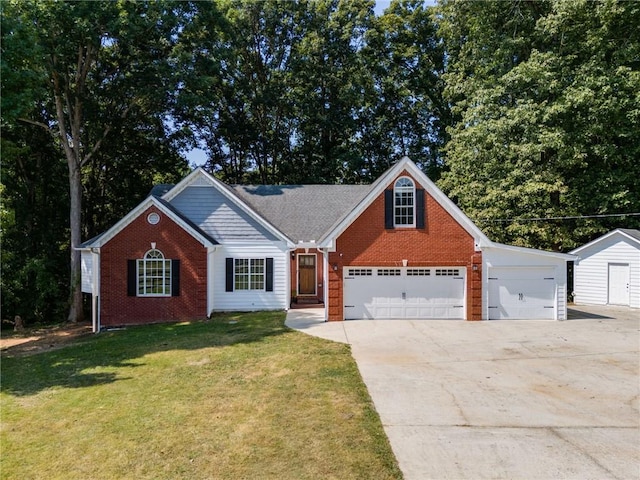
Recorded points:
(607, 271)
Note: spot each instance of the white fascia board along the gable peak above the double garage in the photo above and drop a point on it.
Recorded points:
(381, 184)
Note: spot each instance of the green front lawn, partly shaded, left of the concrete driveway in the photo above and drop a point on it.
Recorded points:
(198, 400)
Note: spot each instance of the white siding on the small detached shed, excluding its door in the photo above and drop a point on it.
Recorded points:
(591, 272)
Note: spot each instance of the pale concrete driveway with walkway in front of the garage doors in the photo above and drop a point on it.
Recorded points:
(502, 399)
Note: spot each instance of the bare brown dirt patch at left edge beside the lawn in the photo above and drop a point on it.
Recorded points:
(36, 340)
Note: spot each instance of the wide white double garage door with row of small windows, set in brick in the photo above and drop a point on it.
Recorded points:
(384, 293)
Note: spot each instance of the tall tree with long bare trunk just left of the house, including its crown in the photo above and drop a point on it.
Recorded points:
(102, 62)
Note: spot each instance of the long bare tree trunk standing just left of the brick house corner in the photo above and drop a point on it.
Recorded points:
(75, 212)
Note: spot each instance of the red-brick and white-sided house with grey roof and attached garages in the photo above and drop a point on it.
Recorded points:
(398, 248)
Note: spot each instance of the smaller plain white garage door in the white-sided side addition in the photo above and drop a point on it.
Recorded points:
(522, 293)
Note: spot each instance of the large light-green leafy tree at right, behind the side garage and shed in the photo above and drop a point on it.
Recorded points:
(535, 89)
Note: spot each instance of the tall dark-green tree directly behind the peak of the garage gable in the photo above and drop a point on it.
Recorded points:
(405, 113)
